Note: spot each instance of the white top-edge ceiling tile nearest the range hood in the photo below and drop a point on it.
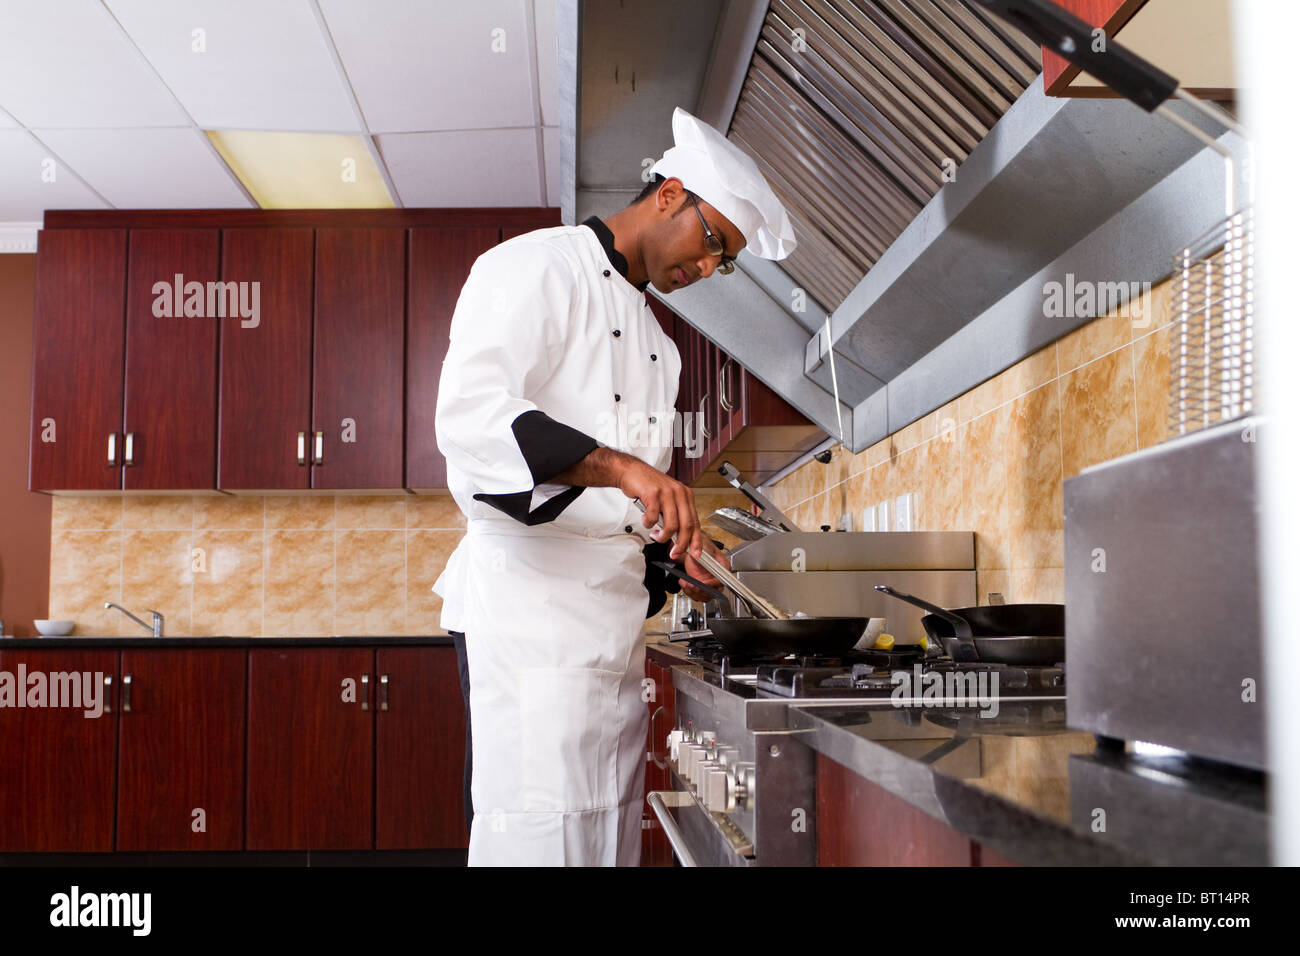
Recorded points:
(432, 67)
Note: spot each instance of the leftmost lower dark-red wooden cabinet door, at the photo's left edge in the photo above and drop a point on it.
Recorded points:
(58, 763)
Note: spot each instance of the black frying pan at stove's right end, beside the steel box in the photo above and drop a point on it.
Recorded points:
(1017, 634)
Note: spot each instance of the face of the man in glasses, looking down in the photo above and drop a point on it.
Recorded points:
(677, 253)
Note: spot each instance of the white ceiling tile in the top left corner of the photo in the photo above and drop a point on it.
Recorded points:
(68, 64)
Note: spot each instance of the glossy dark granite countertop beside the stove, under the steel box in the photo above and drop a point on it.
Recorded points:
(1024, 782)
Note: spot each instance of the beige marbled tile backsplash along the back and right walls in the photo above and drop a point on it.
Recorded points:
(991, 461)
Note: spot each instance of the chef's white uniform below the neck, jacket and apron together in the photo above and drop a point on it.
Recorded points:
(553, 613)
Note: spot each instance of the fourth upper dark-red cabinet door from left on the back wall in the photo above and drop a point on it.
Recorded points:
(358, 358)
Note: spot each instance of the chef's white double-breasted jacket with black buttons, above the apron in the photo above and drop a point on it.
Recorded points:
(548, 330)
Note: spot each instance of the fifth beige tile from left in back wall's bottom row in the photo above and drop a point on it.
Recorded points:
(370, 595)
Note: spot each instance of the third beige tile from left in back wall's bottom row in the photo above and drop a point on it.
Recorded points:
(228, 591)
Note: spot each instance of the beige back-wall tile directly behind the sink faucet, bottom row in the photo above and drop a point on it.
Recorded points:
(157, 576)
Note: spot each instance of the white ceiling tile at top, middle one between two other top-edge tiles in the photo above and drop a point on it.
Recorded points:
(265, 66)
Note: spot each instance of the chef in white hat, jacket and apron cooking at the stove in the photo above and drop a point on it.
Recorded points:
(556, 414)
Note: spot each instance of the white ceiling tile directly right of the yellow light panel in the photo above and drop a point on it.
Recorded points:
(463, 168)
